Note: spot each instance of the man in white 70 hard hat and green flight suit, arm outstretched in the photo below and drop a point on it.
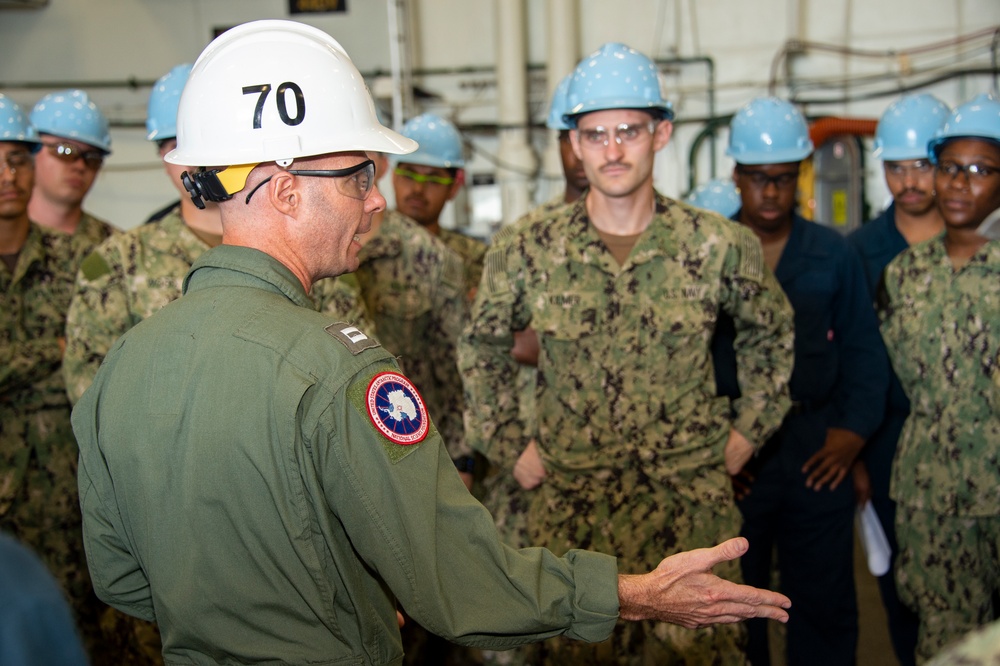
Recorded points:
(262, 481)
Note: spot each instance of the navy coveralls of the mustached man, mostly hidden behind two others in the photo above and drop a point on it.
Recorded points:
(877, 243)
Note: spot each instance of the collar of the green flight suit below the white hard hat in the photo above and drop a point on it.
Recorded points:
(231, 265)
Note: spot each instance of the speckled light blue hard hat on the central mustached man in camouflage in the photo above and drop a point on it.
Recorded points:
(615, 76)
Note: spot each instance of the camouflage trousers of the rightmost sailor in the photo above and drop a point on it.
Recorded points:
(948, 571)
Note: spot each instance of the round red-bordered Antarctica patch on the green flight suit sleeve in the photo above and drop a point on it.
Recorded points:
(396, 409)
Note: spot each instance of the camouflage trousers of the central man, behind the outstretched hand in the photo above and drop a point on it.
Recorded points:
(641, 521)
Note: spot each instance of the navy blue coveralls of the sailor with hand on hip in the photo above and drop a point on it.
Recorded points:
(839, 381)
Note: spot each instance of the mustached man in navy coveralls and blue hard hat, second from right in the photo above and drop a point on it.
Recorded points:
(901, 138)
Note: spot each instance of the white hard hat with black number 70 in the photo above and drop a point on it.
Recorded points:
(273, 91)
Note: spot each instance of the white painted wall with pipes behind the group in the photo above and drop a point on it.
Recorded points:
(94, 42)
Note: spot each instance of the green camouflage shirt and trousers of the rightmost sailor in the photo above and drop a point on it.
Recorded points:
(942, 329)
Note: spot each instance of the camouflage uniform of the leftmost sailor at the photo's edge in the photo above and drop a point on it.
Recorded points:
(38, 455)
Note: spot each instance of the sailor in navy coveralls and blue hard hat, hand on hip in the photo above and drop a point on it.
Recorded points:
(797, 496)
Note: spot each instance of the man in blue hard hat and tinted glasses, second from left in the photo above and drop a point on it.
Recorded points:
(76, 138)
